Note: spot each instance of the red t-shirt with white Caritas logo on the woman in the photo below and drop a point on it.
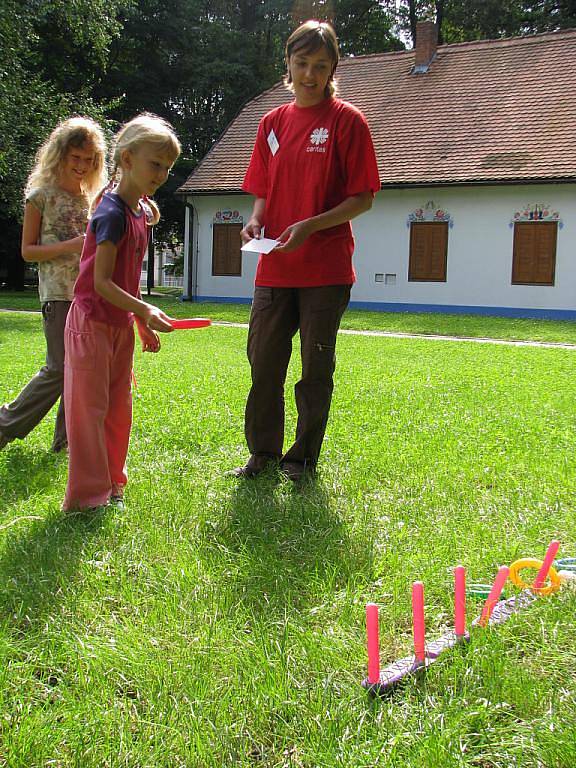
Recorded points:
(307, 160)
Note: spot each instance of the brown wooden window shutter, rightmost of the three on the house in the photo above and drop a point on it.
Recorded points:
(534, 254)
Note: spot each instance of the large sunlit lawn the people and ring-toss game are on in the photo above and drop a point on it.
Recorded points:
(221, 623)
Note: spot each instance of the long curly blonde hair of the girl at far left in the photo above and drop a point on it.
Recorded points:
(72, 133)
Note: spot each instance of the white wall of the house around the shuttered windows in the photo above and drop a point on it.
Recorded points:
(479, 266)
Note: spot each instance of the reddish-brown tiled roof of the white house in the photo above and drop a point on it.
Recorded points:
(487, 111)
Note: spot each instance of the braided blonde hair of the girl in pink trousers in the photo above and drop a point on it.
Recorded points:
(145, 128)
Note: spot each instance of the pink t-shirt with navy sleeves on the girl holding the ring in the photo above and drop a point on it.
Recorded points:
(115, 221)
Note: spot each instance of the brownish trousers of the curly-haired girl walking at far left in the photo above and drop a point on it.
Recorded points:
(19, 417)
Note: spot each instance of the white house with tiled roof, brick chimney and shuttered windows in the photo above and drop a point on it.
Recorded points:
(476, 147)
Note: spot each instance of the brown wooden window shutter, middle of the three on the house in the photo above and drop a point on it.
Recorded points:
(428, 251)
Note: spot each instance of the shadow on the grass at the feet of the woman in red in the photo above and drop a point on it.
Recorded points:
(288, 545)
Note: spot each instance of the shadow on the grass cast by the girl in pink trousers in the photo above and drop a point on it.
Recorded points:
(38, 566)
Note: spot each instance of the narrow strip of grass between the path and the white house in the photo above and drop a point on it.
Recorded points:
(428, 323)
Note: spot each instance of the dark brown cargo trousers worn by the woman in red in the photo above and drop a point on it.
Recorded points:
(277, 314)
